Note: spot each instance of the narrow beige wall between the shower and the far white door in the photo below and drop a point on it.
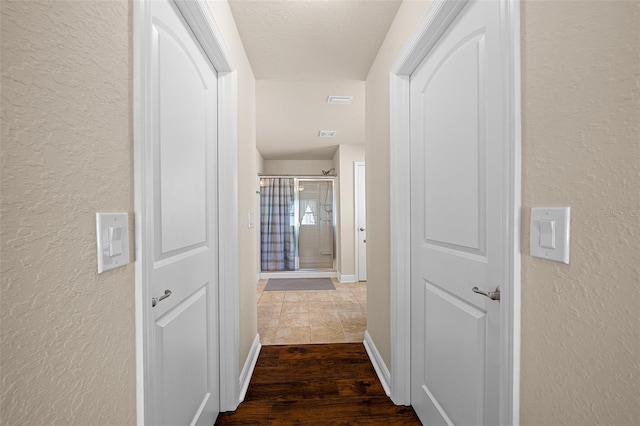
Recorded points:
(345, 191)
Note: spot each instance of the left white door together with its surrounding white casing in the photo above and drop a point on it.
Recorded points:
(183, 138)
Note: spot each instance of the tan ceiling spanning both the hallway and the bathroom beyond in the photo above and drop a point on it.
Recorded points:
(302, 51)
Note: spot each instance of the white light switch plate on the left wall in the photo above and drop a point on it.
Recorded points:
(113, 240)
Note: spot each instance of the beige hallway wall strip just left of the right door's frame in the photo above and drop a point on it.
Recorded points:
(377, 176)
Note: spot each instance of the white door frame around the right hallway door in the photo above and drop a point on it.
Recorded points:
(438, 18)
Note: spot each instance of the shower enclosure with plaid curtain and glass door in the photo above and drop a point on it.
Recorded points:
(297, 218)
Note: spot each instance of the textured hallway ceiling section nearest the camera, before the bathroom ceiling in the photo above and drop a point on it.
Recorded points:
(312, 39)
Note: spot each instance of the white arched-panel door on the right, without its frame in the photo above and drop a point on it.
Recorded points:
(458, 222)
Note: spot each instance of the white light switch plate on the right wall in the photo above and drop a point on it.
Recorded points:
(550, 233)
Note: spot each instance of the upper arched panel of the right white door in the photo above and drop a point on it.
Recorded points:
(454, 214)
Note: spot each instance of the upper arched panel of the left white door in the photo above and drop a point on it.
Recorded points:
(182, 144)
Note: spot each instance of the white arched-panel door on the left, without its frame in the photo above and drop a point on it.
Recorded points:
(180, 228)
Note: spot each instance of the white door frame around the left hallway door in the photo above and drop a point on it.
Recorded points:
(200, 19)
